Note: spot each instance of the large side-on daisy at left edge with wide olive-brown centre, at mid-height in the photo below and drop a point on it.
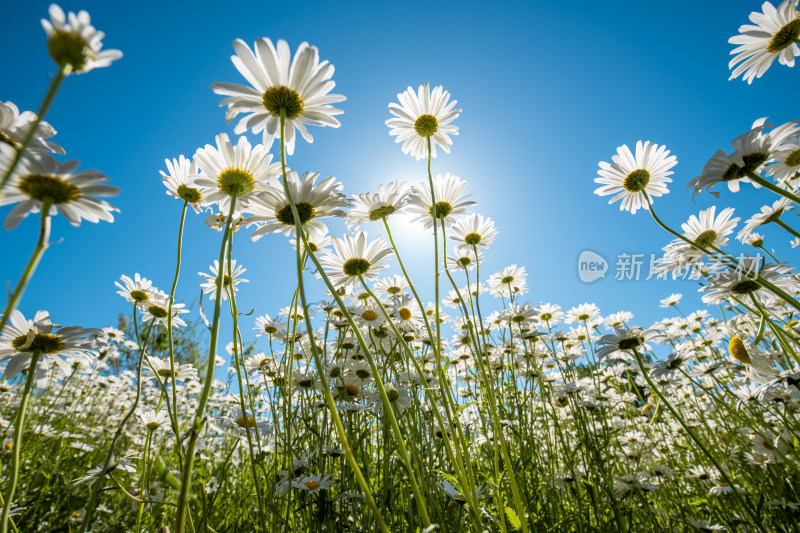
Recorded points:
(41, 179)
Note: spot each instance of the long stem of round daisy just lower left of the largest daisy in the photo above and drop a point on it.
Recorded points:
(199, 417)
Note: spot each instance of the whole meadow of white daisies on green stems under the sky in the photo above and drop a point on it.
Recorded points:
(382, 408)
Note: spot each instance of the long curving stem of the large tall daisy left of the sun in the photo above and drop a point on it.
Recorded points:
(337, 421)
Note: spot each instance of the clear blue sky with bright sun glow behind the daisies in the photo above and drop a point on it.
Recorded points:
(547, 91)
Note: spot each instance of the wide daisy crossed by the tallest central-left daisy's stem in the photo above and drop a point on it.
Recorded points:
(273, 213)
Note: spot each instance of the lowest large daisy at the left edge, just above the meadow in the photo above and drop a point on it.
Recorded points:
(21, 338)
